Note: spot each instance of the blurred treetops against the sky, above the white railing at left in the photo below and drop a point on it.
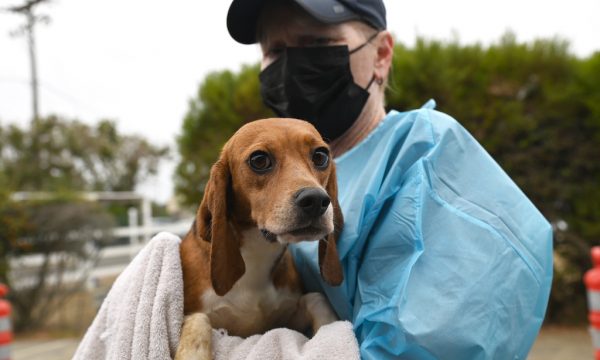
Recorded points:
(54, 154)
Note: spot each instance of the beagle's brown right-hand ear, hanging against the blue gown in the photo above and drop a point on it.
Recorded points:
(329, 261)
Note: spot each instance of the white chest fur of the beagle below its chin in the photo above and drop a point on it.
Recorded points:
(253, 305)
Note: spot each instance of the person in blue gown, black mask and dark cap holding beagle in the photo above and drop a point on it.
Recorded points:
(444, 257)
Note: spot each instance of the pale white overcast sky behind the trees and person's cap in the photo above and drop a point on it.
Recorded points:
(139, 62)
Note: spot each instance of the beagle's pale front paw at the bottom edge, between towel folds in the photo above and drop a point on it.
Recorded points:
(195, 339)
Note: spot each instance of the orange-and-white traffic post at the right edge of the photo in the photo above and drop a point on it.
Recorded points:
(592, 283)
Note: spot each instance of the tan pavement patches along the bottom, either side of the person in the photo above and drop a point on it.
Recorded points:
(553, 343)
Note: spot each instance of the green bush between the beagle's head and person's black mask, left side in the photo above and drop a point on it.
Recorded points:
(225, 101)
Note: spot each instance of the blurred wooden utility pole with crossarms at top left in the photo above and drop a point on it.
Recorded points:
(27, 29)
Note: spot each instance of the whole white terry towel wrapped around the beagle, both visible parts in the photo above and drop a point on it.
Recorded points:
(142, 314)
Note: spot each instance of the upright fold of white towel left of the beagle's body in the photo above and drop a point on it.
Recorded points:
(142, 313)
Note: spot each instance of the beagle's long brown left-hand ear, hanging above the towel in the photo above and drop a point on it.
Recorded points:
(226, 262)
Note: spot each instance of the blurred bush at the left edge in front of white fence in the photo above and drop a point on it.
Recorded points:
(62, 233)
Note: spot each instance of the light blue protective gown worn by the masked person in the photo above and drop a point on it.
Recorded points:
(444, 257)
